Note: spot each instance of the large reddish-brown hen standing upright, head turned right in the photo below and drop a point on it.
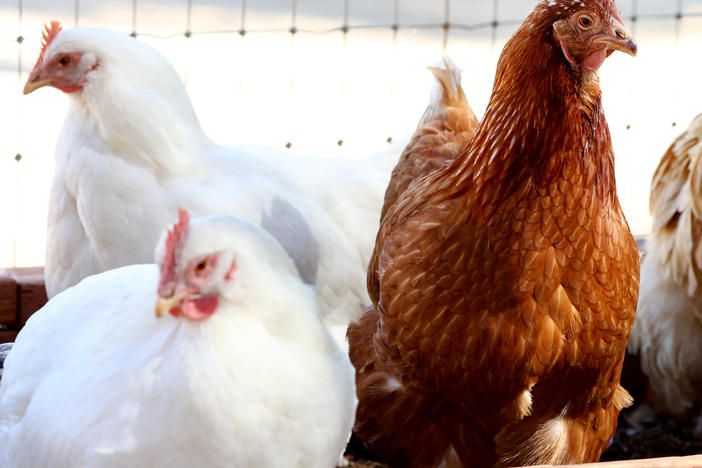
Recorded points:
(504, 285)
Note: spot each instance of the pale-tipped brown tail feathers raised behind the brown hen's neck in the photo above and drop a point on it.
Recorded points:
(446, 127)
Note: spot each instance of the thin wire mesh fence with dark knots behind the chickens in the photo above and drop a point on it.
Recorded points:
(445, 28)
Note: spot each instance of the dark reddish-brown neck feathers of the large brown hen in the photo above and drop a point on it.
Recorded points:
(543, 114)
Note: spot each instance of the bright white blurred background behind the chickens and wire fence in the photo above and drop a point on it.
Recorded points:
(331, 78)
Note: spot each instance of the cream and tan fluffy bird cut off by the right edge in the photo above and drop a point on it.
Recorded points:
(668, 323)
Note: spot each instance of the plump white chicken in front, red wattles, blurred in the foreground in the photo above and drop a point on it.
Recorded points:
(244, 373)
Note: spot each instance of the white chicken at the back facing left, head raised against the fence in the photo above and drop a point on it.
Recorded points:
(131, 151)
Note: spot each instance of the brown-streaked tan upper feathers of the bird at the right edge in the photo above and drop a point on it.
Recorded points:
(676, 207)
